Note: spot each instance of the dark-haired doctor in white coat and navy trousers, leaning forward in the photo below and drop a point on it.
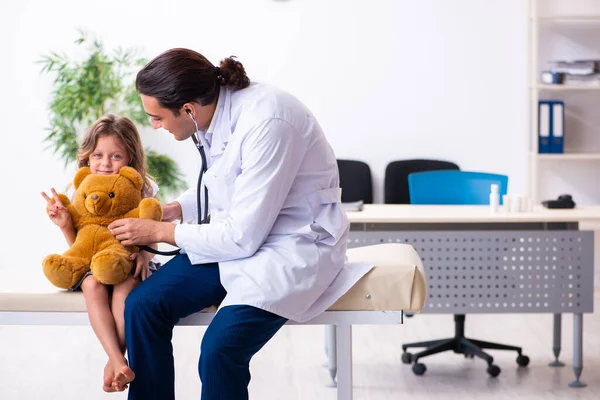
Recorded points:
(274, 245)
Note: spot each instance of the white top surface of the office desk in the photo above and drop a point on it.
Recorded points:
(401, 213)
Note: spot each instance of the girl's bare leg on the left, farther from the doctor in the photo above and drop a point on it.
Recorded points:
(103, 324)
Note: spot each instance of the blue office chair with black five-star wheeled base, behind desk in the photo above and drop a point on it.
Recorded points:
(456, 187)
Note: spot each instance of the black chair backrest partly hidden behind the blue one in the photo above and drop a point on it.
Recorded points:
(396, 177)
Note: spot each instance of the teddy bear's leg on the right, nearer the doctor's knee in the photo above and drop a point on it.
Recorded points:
(111, 265)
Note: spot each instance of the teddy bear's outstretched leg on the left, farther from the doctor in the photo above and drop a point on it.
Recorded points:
(66, 270)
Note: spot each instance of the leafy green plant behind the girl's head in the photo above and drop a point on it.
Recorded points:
(98, 84)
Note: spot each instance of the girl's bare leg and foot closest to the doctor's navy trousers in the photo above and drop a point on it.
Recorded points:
(120, 292)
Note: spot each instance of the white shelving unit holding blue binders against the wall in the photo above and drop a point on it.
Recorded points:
(573, 19)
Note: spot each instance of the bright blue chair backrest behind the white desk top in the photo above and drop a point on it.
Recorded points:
(454, 187)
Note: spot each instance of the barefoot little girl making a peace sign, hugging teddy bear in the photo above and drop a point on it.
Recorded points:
(110, 143)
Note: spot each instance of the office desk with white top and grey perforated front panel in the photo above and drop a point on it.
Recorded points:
(479, 262)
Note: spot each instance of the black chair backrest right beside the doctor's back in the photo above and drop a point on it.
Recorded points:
(355, 181)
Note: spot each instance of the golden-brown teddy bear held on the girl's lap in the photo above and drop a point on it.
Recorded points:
(100, 200)
